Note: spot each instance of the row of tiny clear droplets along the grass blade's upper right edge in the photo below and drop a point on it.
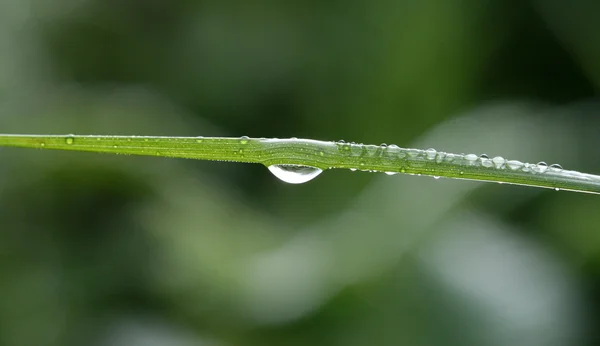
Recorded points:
(416, 156)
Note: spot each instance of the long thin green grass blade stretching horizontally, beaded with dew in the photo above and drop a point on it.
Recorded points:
(322, 155)
